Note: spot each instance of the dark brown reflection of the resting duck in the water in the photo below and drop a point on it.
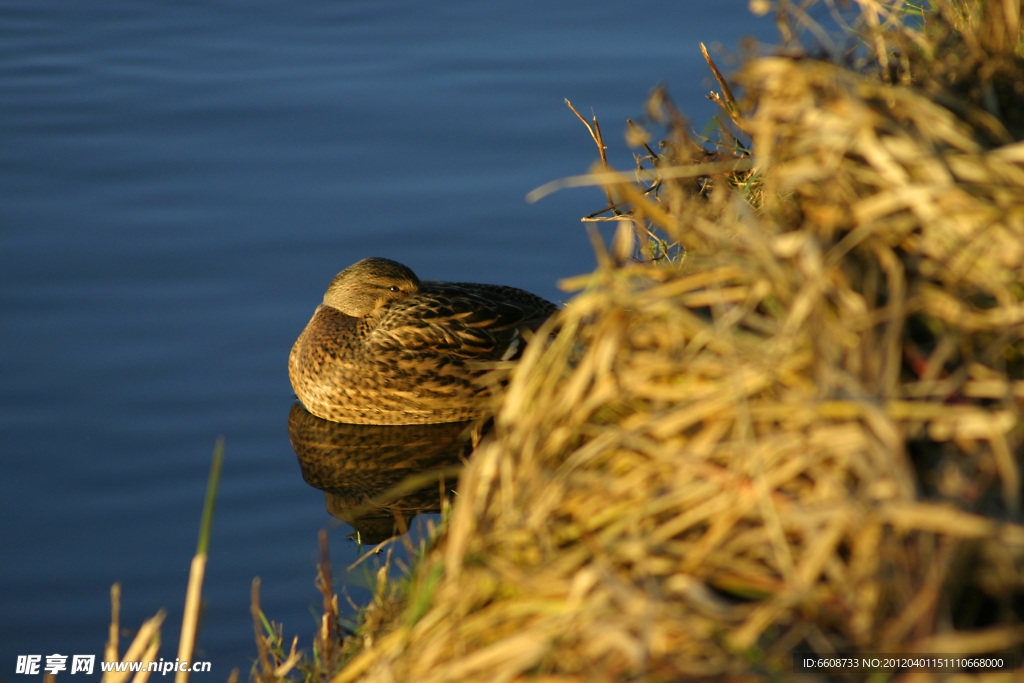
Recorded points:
(377, 479)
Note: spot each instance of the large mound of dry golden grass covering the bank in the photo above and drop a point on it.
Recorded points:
(807, 436)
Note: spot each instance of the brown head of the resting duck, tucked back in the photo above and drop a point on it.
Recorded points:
(364, 287)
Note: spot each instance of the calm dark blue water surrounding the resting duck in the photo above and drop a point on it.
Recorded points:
(180, 184)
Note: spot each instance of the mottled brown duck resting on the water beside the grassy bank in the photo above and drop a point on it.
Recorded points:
(386, 349)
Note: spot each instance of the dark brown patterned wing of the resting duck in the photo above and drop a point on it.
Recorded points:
(467, 321)
